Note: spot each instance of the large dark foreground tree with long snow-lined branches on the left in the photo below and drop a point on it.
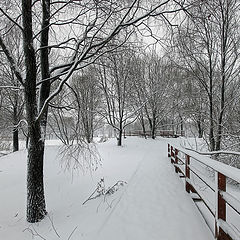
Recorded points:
(98, 22)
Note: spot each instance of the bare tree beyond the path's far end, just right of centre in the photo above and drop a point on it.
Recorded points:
(152, 85)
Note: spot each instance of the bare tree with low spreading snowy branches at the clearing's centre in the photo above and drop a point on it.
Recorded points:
(114, 76)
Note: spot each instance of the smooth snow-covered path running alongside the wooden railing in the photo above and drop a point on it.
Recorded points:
(155, 205)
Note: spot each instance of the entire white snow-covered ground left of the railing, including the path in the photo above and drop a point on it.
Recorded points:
(153, 205)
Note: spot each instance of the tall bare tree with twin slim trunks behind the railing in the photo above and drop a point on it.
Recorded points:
(208, 43)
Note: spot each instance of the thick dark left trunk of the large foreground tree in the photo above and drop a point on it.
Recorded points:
(35, 187)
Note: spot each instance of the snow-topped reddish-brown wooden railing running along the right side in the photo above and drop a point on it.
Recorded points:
(183, 161)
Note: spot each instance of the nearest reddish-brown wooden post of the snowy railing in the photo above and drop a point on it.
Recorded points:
(220, 206)
